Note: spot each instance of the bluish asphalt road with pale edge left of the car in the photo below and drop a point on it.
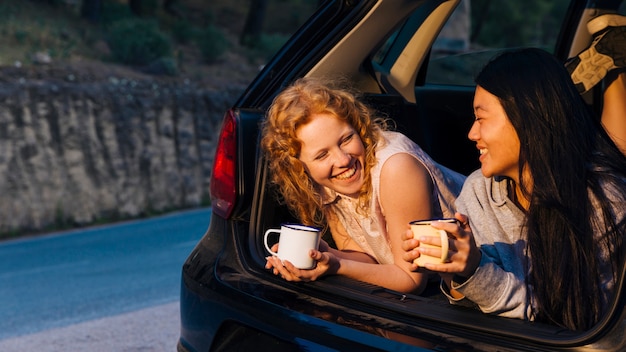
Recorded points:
(86, 285)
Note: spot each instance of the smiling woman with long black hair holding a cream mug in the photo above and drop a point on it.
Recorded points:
(542, 238)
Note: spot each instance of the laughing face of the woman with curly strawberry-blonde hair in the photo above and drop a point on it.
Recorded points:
(333, 154)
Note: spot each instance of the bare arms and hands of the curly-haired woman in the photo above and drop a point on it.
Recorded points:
(405, 192)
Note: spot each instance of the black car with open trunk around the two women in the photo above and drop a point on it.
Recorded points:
(414, 60)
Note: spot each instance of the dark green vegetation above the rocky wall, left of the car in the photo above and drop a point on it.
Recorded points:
(200, 32)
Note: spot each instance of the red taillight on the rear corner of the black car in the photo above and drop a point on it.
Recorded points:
(223, 190)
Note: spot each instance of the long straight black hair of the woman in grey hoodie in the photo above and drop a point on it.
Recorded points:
(570, 158)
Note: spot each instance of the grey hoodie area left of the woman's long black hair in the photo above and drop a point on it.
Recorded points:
(498, 286)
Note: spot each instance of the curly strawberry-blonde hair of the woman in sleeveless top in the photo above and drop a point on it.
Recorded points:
(292, 108)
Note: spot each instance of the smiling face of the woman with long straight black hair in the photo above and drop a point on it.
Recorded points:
(495, 137)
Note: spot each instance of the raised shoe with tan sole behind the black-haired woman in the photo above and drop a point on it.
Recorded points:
(607, 52)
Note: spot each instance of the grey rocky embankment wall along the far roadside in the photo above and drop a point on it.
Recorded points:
(79, 146)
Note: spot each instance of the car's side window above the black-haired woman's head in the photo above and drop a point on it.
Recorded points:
(479, 29)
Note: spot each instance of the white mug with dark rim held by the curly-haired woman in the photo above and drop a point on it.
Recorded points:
(295, 242)
